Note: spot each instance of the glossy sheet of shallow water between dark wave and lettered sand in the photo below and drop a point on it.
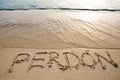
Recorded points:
(60, 29)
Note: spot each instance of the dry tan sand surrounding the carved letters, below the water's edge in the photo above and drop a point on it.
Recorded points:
(21, 72)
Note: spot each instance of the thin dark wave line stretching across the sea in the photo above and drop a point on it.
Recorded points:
(64, 9)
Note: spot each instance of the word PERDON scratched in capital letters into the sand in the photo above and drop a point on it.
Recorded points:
(54, 58)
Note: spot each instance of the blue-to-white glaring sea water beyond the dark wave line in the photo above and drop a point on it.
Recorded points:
(67, 4)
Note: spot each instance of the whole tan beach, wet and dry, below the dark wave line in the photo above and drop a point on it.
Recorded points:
(28, 32)
